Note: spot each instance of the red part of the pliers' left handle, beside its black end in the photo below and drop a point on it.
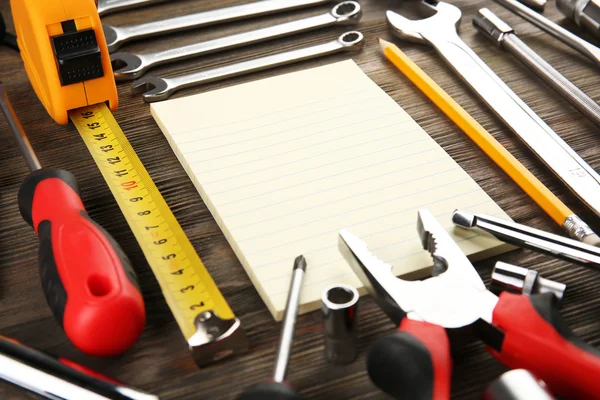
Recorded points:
(434, 337)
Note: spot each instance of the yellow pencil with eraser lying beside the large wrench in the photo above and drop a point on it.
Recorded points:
(551, 204)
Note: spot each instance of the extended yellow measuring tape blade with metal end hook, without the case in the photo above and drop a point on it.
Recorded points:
(202, 313)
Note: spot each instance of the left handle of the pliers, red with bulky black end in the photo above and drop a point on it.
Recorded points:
(413, 363)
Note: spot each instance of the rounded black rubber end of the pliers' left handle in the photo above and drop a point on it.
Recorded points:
(401, 366)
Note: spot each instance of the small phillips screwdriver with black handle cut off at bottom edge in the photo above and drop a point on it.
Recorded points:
(277, 389)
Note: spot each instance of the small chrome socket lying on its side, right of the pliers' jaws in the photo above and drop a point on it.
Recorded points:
(512, 278)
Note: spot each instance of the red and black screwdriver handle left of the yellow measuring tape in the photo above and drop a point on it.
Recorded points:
(87, 279)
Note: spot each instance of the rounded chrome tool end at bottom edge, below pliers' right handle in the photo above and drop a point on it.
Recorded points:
(518, 384)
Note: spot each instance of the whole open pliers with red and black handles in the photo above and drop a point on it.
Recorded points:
(520, 331)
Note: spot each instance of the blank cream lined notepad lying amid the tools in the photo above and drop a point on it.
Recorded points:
(284, 163)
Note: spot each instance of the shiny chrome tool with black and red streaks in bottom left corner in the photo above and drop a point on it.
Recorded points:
(58, 378)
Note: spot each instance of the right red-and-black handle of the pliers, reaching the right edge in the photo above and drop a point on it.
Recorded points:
(536, 338)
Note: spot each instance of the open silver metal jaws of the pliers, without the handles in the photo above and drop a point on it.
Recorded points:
(454, 297)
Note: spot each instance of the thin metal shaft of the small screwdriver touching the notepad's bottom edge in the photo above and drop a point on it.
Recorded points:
(288, 328)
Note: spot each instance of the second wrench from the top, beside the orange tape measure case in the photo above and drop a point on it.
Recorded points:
(116, 36)
